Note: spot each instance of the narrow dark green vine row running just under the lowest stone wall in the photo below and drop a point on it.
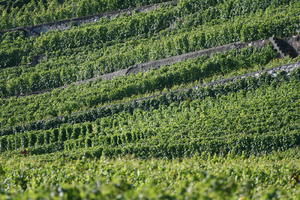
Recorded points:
(246, 83)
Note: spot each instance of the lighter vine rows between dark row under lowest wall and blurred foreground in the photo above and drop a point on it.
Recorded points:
(150, 128)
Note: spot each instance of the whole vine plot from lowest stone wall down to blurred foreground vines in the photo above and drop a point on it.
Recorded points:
(230, 118)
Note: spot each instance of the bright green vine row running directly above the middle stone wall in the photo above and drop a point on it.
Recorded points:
(195, 40)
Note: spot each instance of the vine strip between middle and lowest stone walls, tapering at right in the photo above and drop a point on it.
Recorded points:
(101, 92)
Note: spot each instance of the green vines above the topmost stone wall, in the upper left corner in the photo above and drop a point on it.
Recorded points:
(30, 12)
